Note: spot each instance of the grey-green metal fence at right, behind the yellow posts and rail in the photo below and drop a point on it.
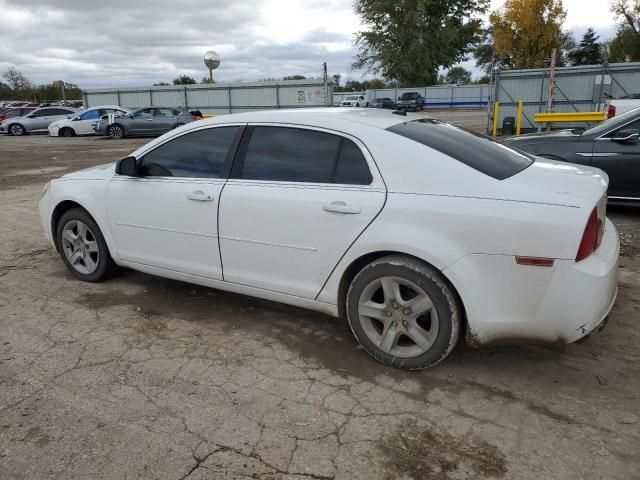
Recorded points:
(578, 89)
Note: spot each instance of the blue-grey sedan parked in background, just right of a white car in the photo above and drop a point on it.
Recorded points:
(148, 121)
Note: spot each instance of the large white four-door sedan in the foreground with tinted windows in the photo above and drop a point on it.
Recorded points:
(413, 230)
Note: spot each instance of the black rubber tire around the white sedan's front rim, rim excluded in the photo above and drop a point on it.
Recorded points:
(105, 265)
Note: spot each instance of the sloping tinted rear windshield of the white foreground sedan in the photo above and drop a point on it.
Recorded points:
(477, 151)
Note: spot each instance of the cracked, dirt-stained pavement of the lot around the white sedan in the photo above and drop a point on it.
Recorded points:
(143, 377)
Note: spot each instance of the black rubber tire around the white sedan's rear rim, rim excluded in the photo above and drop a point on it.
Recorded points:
(444, 302)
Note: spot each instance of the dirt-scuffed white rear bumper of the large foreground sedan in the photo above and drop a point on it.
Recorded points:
(510, 303)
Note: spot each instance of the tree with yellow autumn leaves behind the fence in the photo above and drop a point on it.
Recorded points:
(526, 31)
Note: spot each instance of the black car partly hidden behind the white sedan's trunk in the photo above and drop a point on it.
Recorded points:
(612, 146)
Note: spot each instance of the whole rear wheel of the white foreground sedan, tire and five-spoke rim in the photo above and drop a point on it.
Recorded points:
(403, 312)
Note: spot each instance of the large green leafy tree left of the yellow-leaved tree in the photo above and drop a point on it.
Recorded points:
(410, 40)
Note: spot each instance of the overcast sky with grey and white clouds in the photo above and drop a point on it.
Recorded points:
(139, 42)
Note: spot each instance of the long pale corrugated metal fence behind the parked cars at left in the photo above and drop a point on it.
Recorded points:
(218, 98)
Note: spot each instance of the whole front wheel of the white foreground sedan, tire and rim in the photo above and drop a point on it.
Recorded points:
(82, 246)
